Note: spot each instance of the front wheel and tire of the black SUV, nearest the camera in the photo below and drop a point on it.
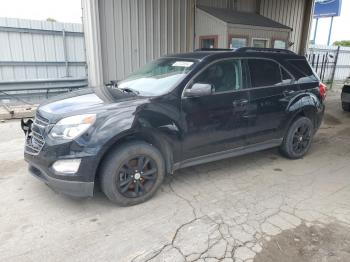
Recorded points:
(120, 180)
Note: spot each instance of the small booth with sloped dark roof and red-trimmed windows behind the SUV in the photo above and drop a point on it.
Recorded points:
(225, 28)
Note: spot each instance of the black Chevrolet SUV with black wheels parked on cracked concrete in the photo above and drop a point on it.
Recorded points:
(178, 111)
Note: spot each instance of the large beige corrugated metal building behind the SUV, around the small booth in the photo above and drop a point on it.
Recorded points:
(122, 35)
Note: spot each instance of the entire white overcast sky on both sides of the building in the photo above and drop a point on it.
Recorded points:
(69, 11)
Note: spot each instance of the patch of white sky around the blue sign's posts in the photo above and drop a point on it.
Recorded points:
(341, 26)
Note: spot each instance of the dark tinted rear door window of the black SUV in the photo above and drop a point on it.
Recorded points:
(264, 72)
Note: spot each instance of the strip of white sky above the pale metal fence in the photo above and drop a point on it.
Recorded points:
(68, 11)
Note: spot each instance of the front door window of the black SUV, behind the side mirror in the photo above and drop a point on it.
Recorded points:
(223, 76)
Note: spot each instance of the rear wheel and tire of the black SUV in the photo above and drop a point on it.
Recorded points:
(297, 141)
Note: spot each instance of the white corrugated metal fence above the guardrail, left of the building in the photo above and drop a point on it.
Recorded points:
(32, 49)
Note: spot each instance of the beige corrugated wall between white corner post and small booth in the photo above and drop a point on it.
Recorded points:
(137, 31)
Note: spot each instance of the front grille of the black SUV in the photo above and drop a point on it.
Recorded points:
(34, 140)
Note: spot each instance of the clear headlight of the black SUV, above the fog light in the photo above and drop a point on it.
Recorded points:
(71, 127)
